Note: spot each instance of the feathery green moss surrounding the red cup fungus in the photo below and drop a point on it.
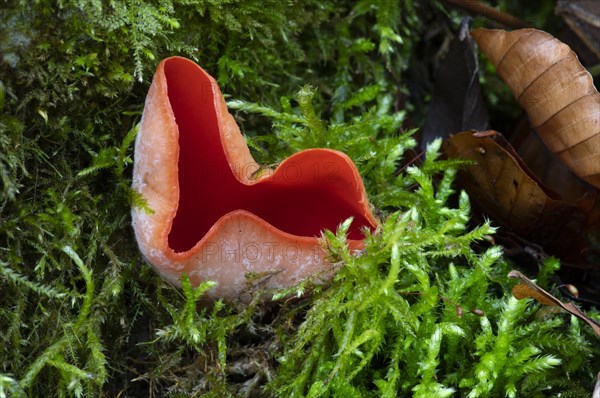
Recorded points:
(82, 314)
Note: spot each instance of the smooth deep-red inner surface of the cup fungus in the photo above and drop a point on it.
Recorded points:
(298, 200)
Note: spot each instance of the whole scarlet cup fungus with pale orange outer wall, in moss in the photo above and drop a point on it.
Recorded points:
(214, 214)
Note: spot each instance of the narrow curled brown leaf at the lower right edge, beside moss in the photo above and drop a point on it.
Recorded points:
(528, 289)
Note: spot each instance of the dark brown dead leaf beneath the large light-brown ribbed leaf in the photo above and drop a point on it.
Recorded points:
(505, 188)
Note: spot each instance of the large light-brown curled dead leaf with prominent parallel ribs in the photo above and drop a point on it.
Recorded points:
(555, 90)
